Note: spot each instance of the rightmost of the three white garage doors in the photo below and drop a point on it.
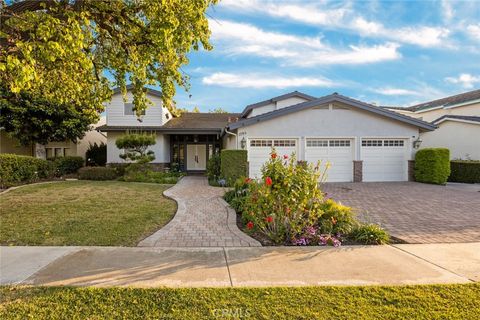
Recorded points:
(384, 159)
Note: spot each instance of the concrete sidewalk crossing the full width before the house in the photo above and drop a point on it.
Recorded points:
(238, 267)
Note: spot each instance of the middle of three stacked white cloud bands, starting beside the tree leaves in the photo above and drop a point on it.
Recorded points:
(241, 38)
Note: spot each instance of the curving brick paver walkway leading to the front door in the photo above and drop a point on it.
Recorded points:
(203, 219)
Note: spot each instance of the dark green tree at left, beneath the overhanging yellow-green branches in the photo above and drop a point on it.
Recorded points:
(32, 119)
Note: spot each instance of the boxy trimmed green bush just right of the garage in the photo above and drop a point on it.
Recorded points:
(432, 165)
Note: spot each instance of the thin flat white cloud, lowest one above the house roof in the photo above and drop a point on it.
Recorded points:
(264, 81)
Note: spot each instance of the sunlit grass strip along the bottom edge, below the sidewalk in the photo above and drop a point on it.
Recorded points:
(407, 302)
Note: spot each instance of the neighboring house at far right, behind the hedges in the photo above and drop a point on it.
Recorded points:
(458, 120)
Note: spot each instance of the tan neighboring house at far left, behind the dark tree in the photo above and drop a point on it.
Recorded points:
(54, 149)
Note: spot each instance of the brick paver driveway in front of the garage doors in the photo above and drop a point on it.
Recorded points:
(414, 212)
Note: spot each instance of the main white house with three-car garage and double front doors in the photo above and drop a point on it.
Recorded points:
(361, 141)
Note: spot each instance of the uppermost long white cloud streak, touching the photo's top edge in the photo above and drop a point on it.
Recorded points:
(343, 18)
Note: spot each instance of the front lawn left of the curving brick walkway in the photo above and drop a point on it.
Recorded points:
(104, 213)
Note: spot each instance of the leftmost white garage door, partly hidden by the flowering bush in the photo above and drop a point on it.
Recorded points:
(260, 149)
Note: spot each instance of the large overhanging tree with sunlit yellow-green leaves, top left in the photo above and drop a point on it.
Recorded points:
(62, 50)
